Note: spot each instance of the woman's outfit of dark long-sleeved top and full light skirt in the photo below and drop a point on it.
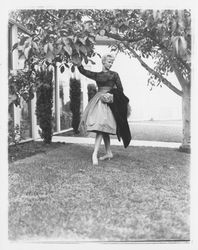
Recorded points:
(97, 115)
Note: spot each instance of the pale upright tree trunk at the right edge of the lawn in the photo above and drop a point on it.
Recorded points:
(185, 147)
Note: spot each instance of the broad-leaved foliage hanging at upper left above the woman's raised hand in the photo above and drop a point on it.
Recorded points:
(57, 36)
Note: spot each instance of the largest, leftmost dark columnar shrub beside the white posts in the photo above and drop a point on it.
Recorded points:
(44, 105)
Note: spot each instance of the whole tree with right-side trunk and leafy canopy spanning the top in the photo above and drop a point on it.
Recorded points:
(69, 36)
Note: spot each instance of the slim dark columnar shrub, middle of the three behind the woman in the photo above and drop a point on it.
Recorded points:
(75, 100)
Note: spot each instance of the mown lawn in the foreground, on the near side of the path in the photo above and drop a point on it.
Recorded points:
(141, 194)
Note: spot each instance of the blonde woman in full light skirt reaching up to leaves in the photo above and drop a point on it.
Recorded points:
(98, 116)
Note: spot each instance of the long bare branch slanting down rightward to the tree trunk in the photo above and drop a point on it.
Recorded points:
(155, 73)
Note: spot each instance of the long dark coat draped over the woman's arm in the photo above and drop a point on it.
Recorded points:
(119, 110)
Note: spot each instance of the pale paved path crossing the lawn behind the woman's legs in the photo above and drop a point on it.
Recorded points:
(86, 140)
